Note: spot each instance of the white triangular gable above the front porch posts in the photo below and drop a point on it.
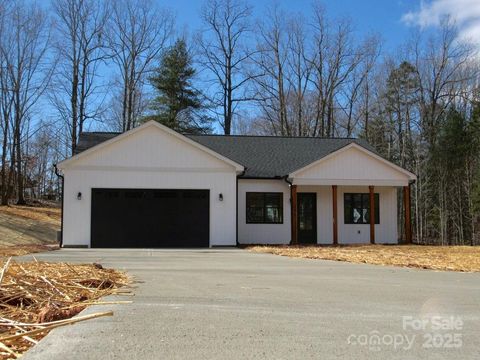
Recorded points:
(352, 166)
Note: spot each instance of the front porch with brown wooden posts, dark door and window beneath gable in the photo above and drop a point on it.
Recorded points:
(333, 214)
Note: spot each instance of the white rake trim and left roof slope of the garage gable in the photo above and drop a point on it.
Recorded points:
(100, 140)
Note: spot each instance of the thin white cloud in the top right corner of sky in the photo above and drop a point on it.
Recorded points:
(466, 13)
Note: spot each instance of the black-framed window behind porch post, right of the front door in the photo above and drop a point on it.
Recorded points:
(357, 208)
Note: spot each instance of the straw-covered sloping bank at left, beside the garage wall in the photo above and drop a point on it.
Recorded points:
(27, 229)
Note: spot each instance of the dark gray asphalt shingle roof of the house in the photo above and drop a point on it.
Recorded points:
(262, 156)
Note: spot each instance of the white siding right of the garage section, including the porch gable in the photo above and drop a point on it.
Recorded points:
(352, 169)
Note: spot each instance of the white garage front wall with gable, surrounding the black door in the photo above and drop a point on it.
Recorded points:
(151, 158)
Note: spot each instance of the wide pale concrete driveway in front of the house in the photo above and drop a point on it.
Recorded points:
(232, 304)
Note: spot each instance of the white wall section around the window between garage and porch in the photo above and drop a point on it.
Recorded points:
(263, 233)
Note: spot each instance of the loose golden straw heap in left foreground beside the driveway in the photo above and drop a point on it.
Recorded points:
(36, 297)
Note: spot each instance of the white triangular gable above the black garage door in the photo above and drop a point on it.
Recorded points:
(151, 148)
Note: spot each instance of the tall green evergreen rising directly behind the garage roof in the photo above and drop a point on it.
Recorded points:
(178, 104)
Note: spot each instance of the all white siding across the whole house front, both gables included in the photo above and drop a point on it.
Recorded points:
(154, 157)
